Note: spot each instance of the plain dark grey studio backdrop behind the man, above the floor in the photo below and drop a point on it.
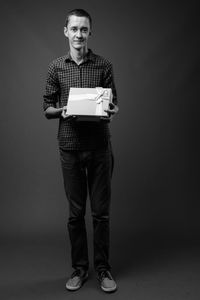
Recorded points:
(153, 46)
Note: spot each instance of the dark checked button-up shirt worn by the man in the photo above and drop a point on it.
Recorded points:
(63, 73)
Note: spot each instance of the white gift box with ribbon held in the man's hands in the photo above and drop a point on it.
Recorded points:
(90, 102)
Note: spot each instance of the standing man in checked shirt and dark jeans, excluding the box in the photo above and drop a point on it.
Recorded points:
(85, 149)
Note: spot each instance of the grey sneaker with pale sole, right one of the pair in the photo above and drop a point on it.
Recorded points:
(107, 282)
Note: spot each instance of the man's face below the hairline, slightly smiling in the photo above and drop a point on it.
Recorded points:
(77, 31)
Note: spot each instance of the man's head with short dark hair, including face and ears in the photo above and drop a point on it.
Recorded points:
(78, 28)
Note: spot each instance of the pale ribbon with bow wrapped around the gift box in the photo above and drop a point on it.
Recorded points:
(102, 94)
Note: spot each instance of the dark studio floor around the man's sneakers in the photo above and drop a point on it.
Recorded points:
(149, 269)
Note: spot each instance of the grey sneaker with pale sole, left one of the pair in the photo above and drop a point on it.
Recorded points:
(76, 280)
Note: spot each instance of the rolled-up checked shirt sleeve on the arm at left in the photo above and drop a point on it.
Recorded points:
(52, 92)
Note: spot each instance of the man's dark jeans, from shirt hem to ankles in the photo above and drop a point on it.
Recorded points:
(83, 172)
